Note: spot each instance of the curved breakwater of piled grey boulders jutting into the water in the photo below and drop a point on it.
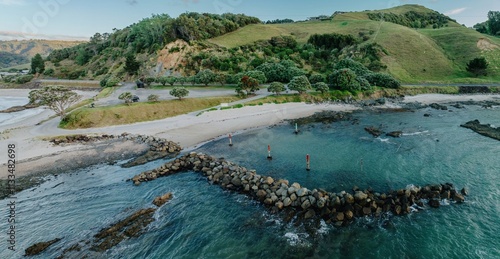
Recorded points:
(279, 195)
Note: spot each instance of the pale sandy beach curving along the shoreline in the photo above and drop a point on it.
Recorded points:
(189, 130)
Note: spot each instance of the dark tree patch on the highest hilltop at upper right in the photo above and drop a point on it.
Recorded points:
(413, 19)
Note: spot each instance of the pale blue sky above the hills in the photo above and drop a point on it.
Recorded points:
(80, 19)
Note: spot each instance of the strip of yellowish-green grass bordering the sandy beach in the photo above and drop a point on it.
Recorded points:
(138, 112)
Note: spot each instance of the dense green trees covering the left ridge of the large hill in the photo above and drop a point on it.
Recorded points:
(152, 34)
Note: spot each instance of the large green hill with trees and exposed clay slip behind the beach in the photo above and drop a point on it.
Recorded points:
(410, 42)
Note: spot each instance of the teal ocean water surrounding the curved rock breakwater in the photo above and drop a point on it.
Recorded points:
(204, 221)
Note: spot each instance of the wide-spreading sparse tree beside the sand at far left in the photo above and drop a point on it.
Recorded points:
(57, 98)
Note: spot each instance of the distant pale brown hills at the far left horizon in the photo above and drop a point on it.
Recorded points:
(20, 52)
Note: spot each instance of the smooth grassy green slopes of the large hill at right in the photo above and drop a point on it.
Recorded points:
(413, 55)
